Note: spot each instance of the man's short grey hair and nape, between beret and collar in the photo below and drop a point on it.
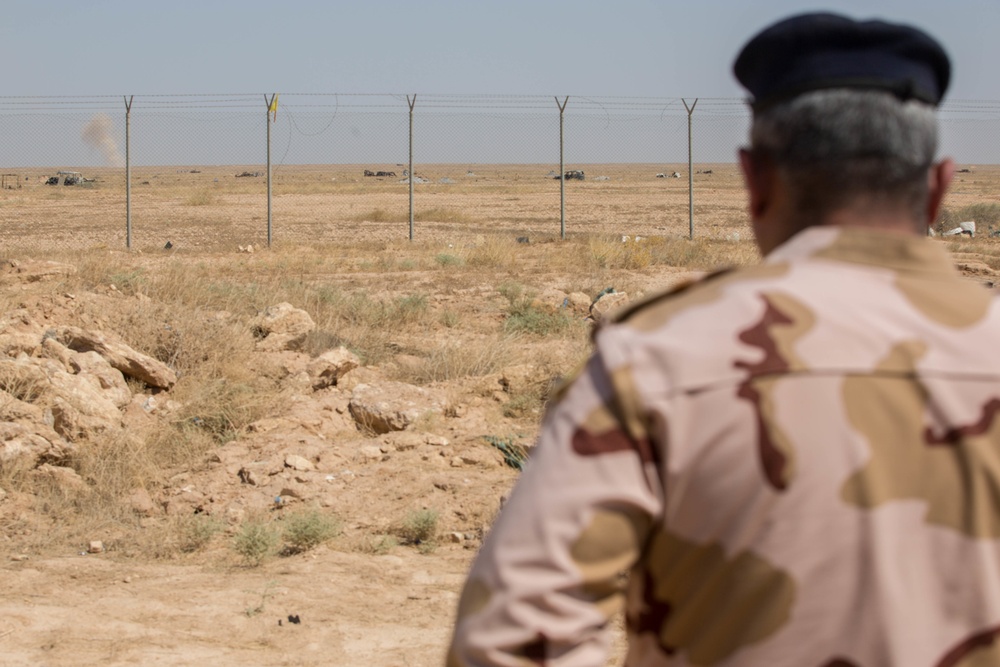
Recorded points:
(839, 146)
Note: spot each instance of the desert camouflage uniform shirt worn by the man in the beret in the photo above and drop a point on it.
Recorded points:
(797, 463)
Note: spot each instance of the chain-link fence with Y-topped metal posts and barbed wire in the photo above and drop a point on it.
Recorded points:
(219, 171)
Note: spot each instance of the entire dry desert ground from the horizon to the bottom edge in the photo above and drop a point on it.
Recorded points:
(201, 443)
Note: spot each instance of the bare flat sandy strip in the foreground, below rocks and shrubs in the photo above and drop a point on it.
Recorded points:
(355, 609)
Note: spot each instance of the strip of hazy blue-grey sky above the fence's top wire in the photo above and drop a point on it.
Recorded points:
(578, 47)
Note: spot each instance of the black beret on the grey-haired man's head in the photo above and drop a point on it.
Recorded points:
(817, 51)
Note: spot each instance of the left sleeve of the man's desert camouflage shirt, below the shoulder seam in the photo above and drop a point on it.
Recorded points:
(550, 574)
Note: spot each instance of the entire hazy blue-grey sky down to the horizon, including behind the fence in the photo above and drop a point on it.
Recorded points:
(306, 50)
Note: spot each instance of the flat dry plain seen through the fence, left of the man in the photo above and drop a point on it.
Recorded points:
(210, 207)
